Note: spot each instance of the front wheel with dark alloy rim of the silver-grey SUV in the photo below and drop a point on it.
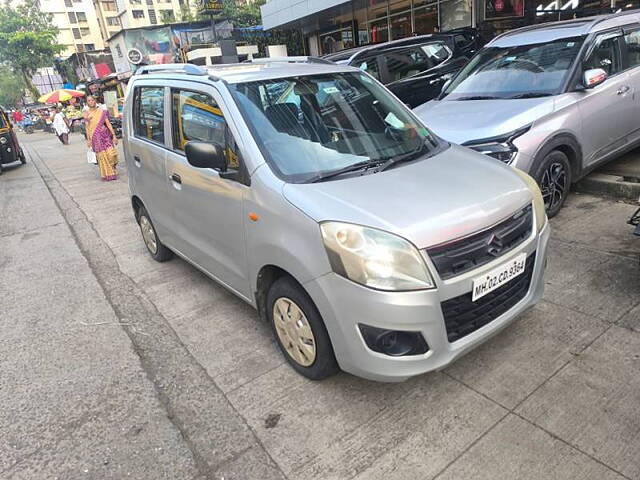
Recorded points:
(554, 177)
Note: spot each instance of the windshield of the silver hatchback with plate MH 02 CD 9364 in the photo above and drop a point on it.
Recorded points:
(310, 126)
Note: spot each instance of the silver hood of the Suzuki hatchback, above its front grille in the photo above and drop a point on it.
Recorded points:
(450, 195)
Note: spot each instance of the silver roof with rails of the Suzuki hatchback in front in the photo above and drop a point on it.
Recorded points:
(245, 72)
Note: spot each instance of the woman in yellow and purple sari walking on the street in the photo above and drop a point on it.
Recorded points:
(101, 139)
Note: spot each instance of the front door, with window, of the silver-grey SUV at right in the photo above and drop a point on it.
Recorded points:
(607, 111)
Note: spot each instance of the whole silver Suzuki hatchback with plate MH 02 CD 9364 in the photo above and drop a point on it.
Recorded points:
(316, 196)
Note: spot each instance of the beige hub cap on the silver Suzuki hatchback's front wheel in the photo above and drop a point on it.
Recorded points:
(294, 331)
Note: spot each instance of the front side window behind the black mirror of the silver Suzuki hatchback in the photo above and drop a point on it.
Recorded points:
(196, 116)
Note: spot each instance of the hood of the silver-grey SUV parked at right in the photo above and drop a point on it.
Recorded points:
(462, 121)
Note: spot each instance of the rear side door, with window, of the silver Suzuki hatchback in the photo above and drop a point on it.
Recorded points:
(146, 154)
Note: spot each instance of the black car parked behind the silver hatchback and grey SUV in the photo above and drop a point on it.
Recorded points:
(415, 68)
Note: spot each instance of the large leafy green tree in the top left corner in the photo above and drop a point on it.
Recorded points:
(28, 40)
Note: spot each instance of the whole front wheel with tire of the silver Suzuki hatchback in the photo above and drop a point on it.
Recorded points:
(284, 299)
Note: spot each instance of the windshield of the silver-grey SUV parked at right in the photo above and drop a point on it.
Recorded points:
(523, 71)
